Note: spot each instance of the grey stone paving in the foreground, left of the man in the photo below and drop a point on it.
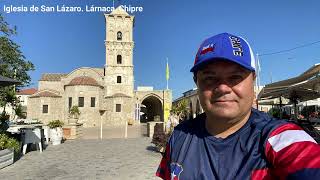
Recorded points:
(83, 159)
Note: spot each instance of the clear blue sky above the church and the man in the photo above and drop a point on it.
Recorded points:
(60, 42)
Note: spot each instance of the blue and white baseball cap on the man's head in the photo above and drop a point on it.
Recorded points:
(225, 46)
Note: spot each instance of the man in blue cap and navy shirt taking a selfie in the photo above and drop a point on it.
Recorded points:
(232, 140)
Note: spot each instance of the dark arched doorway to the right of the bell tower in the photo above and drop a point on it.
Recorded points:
(151, 109)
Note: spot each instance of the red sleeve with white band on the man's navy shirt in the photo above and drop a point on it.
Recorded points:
(293, 157)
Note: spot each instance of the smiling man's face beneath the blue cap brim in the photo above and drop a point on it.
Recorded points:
(225, 90)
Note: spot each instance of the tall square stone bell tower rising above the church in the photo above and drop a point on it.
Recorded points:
(119, 53)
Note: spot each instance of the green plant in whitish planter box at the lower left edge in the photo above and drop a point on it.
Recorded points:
(9, 149)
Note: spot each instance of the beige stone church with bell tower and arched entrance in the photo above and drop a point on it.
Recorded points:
(105, 93)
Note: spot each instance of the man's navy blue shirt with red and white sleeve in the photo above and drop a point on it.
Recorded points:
(264, 148)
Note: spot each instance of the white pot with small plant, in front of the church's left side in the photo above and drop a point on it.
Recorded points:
(56, 131)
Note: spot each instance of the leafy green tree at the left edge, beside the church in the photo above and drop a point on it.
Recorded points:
(13, 64)
